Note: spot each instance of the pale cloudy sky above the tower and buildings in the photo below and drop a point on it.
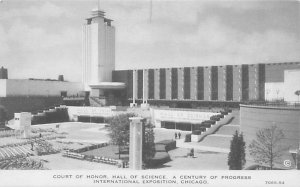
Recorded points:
(43, 39)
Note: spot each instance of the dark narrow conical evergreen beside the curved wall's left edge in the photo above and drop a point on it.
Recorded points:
(236, 156)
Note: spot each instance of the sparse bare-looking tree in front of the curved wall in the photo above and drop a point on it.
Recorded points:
(266, 149)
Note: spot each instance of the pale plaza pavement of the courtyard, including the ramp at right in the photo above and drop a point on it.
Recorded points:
(207, 155)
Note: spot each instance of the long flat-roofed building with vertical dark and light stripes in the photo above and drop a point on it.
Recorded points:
(229, 83)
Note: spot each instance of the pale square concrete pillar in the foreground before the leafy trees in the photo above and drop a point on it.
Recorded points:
(136, 143)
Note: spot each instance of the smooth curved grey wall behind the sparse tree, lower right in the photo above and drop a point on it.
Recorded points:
(254, 118)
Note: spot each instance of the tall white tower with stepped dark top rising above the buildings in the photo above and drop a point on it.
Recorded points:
(98, 50)
